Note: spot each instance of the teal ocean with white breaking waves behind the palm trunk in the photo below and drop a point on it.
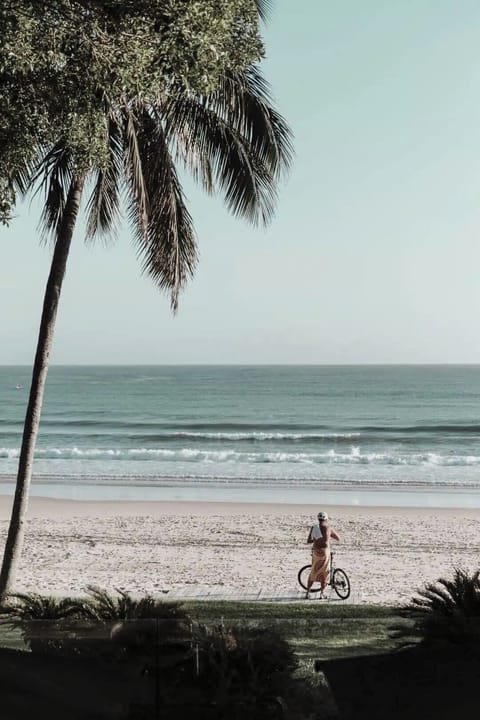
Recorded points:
(363, 435)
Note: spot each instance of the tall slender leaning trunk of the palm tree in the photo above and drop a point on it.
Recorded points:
(16, 530)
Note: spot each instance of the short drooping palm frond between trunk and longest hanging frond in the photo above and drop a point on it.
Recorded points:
(103, 207)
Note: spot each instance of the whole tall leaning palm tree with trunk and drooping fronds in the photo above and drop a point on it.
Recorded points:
(232, 141)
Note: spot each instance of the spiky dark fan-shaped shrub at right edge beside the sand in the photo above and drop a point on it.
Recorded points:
(448, 611)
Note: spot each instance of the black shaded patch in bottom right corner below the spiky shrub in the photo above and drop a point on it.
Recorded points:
(417, 683)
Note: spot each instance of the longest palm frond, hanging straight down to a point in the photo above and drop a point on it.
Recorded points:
(166, 241)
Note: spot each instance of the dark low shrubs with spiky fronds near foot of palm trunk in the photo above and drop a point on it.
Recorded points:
(239, 672)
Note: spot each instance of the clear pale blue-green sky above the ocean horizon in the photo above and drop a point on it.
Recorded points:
(374, 254)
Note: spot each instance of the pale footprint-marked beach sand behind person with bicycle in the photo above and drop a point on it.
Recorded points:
(235, 550)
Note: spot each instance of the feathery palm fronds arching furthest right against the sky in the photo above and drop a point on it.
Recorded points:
(235, 137)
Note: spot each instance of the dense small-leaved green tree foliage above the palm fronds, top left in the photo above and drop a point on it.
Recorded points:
(63, 61)
